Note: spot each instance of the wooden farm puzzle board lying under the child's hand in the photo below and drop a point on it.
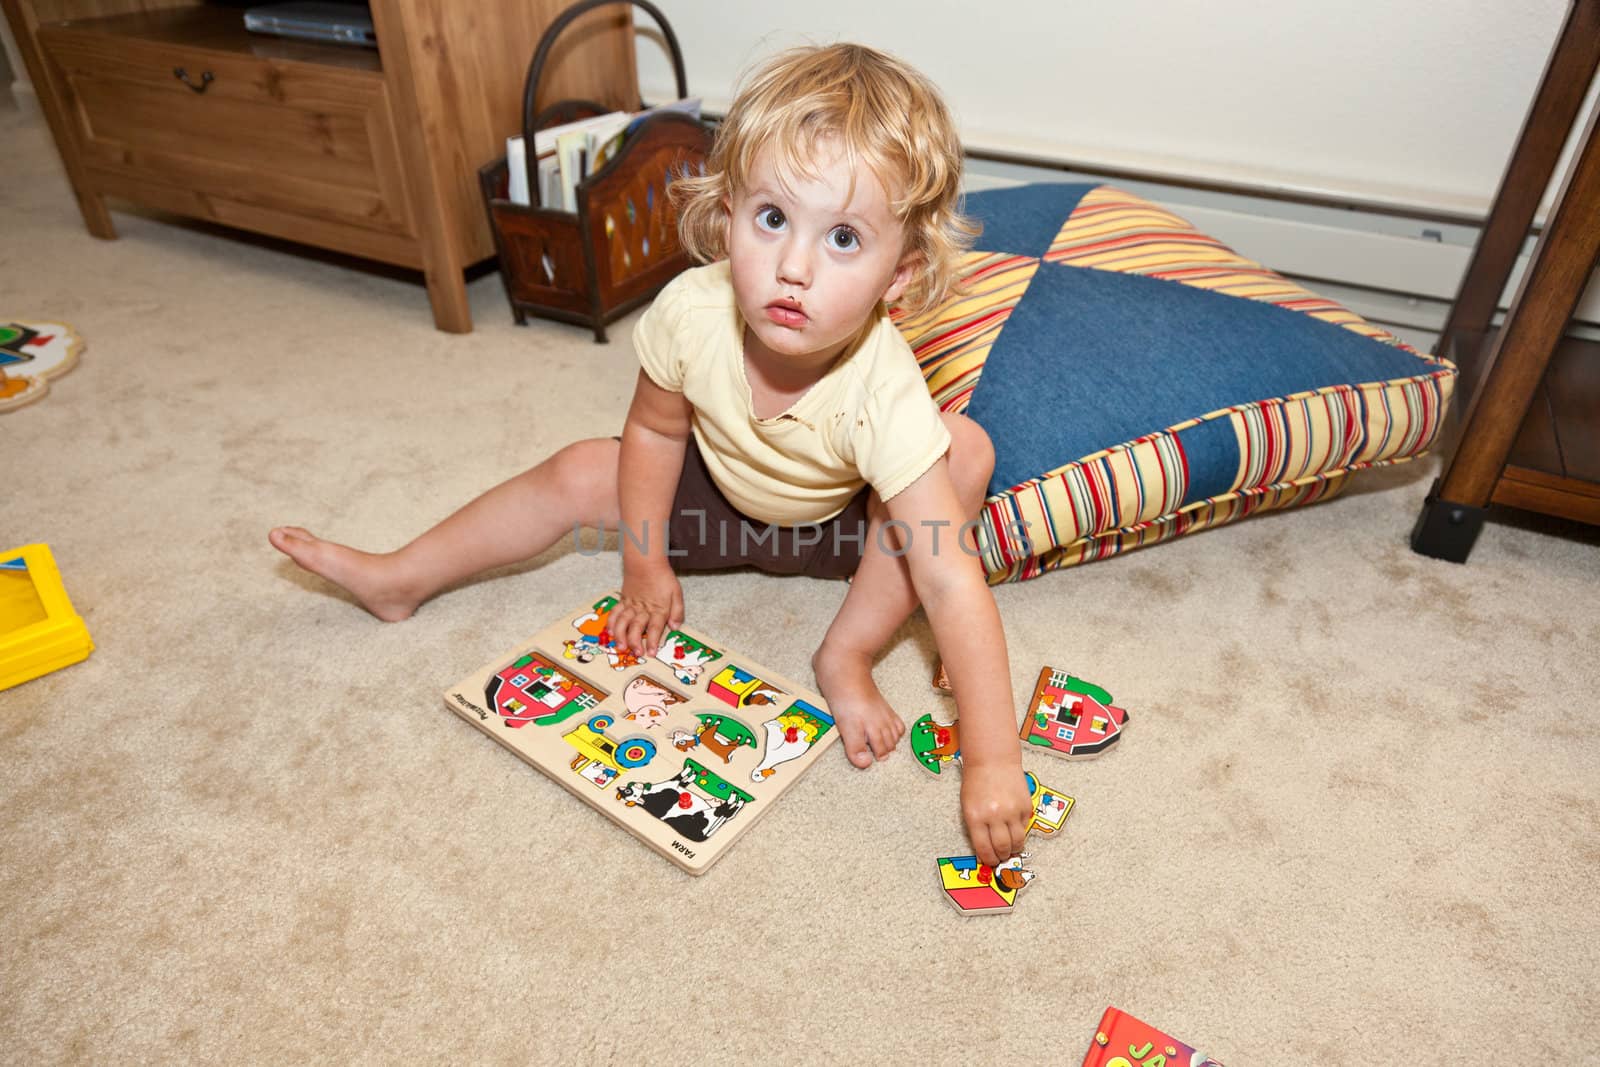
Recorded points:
(686, 749)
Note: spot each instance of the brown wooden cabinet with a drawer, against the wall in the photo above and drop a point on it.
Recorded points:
(372, 153)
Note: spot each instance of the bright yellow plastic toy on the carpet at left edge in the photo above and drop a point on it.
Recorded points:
(39, 629)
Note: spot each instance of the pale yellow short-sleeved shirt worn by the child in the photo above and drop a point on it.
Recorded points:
(868, 422)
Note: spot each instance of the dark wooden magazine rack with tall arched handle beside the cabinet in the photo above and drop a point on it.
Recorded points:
(622, 246)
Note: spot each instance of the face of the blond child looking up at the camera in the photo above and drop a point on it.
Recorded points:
(812, 258)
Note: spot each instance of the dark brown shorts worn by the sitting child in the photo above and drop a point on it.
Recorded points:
(706, 533)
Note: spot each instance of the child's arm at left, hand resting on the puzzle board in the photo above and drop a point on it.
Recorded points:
(647, 479)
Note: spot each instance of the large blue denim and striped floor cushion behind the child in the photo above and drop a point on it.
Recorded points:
(1143, 382)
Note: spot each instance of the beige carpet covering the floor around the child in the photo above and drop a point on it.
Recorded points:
(1354, 820)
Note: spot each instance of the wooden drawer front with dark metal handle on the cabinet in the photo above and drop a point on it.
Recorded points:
(271, 137)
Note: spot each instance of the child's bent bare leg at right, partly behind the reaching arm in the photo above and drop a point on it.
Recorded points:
(882, 597)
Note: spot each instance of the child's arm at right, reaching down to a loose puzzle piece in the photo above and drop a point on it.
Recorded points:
(951, 586)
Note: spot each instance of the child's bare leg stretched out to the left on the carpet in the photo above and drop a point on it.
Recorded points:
(513, 522)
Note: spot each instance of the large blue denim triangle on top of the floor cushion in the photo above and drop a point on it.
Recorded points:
(1092, 359)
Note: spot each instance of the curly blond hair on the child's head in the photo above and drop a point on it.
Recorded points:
(882, 113)
